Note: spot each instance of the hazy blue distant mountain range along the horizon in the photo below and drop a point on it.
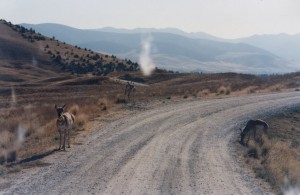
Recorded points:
(177, 50)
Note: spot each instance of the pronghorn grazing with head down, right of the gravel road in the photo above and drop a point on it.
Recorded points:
(252, 126)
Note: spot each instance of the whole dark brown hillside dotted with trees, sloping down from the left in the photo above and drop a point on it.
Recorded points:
(27, 56)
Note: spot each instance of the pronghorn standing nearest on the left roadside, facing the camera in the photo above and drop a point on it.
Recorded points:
(64, 123)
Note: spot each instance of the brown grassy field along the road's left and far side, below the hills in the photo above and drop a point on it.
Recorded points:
(30, 106)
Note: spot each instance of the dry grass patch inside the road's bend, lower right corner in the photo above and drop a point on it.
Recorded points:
(276, 158)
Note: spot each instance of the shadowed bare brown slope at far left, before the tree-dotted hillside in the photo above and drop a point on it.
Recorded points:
(20, 60)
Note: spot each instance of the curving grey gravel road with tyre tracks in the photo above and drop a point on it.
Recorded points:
(180, 148)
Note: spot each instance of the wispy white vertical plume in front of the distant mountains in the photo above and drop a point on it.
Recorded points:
(147, 65)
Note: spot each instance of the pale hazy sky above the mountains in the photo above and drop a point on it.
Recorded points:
(222, 18)
